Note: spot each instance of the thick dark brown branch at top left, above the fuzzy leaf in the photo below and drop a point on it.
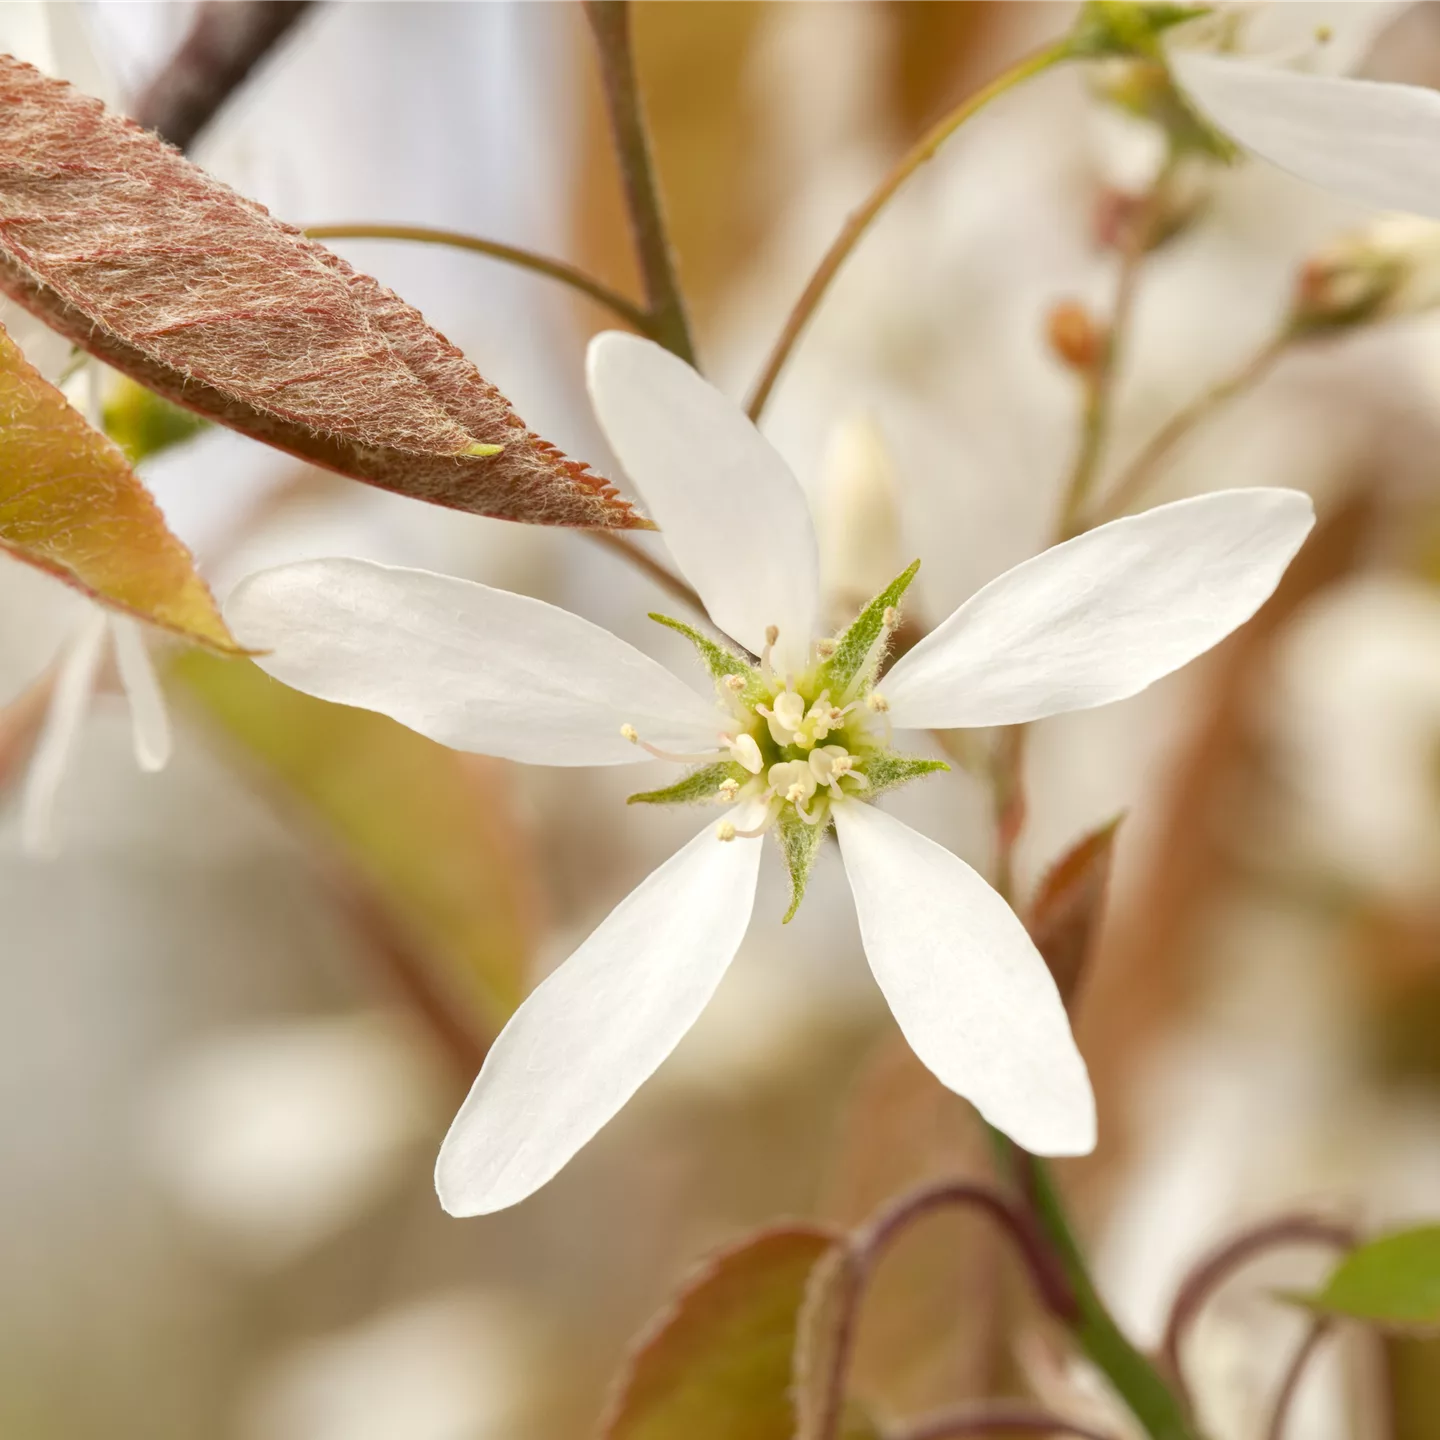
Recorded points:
(227, 41)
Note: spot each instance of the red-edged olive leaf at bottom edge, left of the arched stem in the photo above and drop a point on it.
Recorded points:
(719, 1360)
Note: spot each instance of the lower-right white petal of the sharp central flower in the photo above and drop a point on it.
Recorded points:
(967, 984)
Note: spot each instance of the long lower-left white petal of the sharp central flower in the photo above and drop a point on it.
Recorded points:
(595, 1030)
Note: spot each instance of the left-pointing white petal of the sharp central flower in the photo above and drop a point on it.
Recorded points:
(472, 667)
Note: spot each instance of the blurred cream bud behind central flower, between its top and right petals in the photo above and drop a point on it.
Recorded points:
(859, 519)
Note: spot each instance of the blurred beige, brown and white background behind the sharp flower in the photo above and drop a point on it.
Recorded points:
(238, 1010)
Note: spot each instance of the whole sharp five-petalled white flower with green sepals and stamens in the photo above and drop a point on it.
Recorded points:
(1092, 621)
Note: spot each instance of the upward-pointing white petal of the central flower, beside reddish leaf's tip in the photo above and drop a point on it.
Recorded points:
(732, 513)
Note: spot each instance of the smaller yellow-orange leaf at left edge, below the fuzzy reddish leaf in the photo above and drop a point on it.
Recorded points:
(71, 505)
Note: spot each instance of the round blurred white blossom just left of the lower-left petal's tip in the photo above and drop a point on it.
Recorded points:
(277, 1137)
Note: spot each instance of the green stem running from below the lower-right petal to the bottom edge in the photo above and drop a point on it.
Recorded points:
(1134, 1377)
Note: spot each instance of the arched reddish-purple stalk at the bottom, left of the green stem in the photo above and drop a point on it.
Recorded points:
(870, 1245)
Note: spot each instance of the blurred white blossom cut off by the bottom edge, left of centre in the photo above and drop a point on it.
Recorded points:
(451, 1367)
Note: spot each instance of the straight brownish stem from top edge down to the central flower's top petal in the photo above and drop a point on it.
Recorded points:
(614, 41)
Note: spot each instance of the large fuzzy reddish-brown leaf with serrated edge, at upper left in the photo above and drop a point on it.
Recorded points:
(142, 258)
